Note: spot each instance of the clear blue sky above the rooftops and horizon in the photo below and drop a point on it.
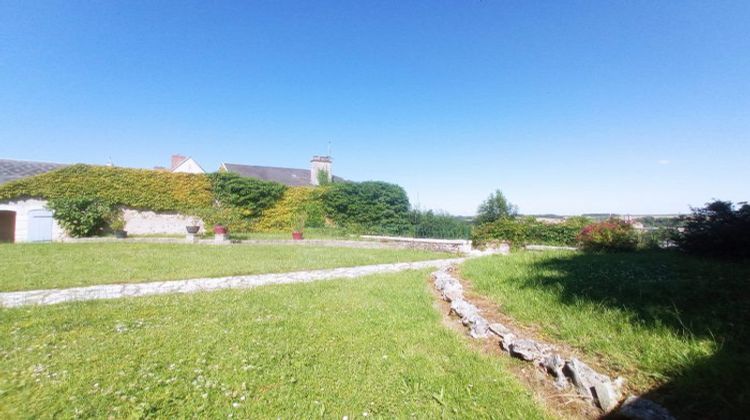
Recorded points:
(568, 107)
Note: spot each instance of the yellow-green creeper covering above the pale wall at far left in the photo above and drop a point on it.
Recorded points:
(136, 188)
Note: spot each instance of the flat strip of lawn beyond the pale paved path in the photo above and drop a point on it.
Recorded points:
(39, 266)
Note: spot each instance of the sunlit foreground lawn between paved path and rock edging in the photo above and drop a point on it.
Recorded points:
(372, 347)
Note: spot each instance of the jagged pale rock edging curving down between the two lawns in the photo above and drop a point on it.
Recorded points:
(598, 388)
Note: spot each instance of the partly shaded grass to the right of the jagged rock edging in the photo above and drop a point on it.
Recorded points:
(674, 326)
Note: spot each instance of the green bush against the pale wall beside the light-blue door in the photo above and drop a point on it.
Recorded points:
(81, 216)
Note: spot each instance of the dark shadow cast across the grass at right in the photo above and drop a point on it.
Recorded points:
(692, 296)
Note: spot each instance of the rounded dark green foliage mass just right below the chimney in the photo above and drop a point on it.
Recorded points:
(374, 207)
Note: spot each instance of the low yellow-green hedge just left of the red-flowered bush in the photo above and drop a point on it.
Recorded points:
(528, 230)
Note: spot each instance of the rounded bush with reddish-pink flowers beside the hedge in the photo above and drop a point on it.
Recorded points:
(610, 235)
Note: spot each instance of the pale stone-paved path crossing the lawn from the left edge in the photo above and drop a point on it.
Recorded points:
(113, 291)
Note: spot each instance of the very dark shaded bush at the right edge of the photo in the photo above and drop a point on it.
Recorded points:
(717, 230)
